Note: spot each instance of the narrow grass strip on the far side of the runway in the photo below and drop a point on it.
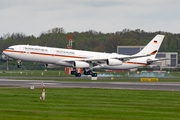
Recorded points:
(58, 75)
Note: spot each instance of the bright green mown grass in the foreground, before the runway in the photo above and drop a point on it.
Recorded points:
(88, 104)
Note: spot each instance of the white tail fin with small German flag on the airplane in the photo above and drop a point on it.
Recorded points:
(152, 47)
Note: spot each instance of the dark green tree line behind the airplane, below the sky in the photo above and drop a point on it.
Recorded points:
(93, 40)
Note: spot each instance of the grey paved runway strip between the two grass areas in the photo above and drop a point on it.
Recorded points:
(167, 86)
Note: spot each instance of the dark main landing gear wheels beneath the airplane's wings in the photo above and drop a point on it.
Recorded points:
(86, 72)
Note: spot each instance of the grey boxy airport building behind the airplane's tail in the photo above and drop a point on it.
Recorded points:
(172, 57)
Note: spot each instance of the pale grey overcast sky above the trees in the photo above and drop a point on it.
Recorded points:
(33, 17)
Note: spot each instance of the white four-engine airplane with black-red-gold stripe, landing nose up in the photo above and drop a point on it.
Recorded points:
(88, 60)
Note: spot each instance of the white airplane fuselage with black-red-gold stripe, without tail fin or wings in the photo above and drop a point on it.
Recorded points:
(56, 56)
